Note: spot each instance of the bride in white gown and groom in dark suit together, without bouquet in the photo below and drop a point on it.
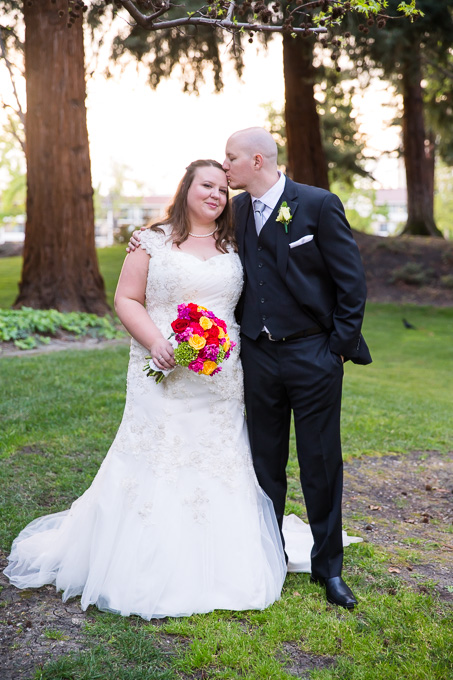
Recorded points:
(175, 521)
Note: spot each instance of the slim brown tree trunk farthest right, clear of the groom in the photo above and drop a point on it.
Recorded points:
(418, 156)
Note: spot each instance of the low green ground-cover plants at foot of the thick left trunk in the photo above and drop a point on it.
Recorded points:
(27, 327)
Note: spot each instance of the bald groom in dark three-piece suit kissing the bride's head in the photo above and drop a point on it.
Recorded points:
(301, 314)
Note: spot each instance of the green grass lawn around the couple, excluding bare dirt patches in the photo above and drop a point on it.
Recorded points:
(59, 414)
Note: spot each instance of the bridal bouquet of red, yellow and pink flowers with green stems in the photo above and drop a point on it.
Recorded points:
(200, 340)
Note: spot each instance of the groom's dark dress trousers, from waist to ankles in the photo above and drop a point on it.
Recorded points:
(305, 377)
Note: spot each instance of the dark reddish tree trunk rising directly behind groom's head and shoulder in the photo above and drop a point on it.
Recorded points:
(306, 158)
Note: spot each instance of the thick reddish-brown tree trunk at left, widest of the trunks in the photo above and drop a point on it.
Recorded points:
(60, 268)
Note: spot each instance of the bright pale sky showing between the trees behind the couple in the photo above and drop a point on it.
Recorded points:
(154, 135)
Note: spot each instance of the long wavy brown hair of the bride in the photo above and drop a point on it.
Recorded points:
(177, 214)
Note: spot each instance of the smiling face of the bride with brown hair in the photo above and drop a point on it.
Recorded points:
(207, 195)
